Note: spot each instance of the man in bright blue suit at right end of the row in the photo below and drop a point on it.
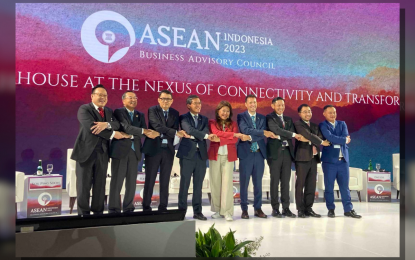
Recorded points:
(335, 161)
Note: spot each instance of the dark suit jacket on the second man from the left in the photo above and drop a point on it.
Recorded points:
(121, 147)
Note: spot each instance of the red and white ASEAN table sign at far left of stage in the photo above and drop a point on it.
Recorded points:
(43, 196)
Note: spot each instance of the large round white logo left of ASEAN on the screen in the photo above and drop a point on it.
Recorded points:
(94, 47)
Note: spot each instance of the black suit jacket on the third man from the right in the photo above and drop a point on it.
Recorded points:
(274, 124)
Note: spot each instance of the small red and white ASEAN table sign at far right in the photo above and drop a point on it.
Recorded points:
(379, 186)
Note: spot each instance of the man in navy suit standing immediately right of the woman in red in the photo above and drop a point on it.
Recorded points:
(251, 154)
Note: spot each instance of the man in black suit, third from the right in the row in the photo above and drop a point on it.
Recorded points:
(280, 155)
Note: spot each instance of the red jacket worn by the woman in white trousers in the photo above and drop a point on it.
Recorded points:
(226, 138)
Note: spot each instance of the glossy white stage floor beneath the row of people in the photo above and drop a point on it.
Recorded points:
(375, 235)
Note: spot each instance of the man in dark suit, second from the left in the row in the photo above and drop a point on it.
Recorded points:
(126, 153)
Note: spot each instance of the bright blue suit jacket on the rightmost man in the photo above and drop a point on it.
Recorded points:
(336, 136)
